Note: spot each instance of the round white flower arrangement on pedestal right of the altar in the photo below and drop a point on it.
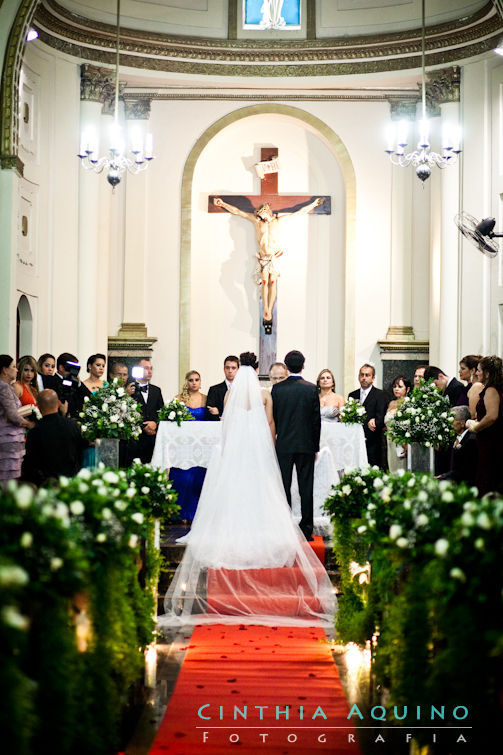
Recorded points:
(423, 417)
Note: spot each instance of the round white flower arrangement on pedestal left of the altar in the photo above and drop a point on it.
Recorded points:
(111, 413)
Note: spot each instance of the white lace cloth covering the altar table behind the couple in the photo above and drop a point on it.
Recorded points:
(192, 444)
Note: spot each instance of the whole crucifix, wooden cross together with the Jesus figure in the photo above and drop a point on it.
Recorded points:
(262, 211)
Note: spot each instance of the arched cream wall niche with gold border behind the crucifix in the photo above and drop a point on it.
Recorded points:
(314, 139)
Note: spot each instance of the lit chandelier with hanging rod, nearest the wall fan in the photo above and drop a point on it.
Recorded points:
(423, 159)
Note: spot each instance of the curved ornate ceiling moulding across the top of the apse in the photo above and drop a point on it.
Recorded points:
(91, 38)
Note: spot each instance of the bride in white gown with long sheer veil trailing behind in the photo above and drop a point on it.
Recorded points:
(246, 560)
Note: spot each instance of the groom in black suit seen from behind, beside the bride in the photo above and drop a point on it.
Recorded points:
(296, 411)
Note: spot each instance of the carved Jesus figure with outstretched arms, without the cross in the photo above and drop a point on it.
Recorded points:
(267, 228)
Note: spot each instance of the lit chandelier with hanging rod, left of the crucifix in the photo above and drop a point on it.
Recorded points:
(117, 161)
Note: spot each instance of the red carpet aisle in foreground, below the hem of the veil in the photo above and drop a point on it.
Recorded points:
(246, 666)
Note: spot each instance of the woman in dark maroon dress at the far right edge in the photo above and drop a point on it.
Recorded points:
(489, 426)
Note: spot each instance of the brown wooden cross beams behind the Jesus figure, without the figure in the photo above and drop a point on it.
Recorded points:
(286, 203)
